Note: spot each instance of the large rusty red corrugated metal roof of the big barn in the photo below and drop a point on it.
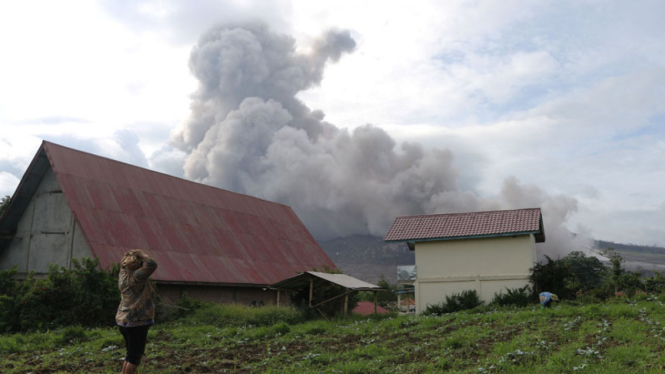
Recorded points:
(196, 233)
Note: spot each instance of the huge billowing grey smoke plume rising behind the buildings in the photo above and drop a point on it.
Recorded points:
(249, 133)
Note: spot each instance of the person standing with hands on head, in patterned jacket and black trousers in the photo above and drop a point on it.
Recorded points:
(136, 312)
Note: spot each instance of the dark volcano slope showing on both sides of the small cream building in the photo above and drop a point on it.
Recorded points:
(368, 257)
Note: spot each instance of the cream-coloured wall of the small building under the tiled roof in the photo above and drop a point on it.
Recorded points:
(487, 265)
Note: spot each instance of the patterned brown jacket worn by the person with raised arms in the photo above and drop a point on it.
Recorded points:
(137, 305)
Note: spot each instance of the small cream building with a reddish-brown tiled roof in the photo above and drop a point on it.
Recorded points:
(483, 251)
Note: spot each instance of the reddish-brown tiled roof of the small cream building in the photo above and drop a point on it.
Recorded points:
(465, 225)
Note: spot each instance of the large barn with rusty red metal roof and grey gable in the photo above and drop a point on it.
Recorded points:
(211, 243)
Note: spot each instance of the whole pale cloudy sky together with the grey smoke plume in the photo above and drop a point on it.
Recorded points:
(510, 103)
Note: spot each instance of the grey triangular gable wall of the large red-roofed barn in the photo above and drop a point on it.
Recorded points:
(46, 233)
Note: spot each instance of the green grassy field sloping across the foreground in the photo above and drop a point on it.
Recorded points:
(621, 336)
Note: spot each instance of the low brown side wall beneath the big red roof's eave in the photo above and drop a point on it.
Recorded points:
(220, 294)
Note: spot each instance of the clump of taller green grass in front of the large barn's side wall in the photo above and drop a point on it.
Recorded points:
(242, 315)
